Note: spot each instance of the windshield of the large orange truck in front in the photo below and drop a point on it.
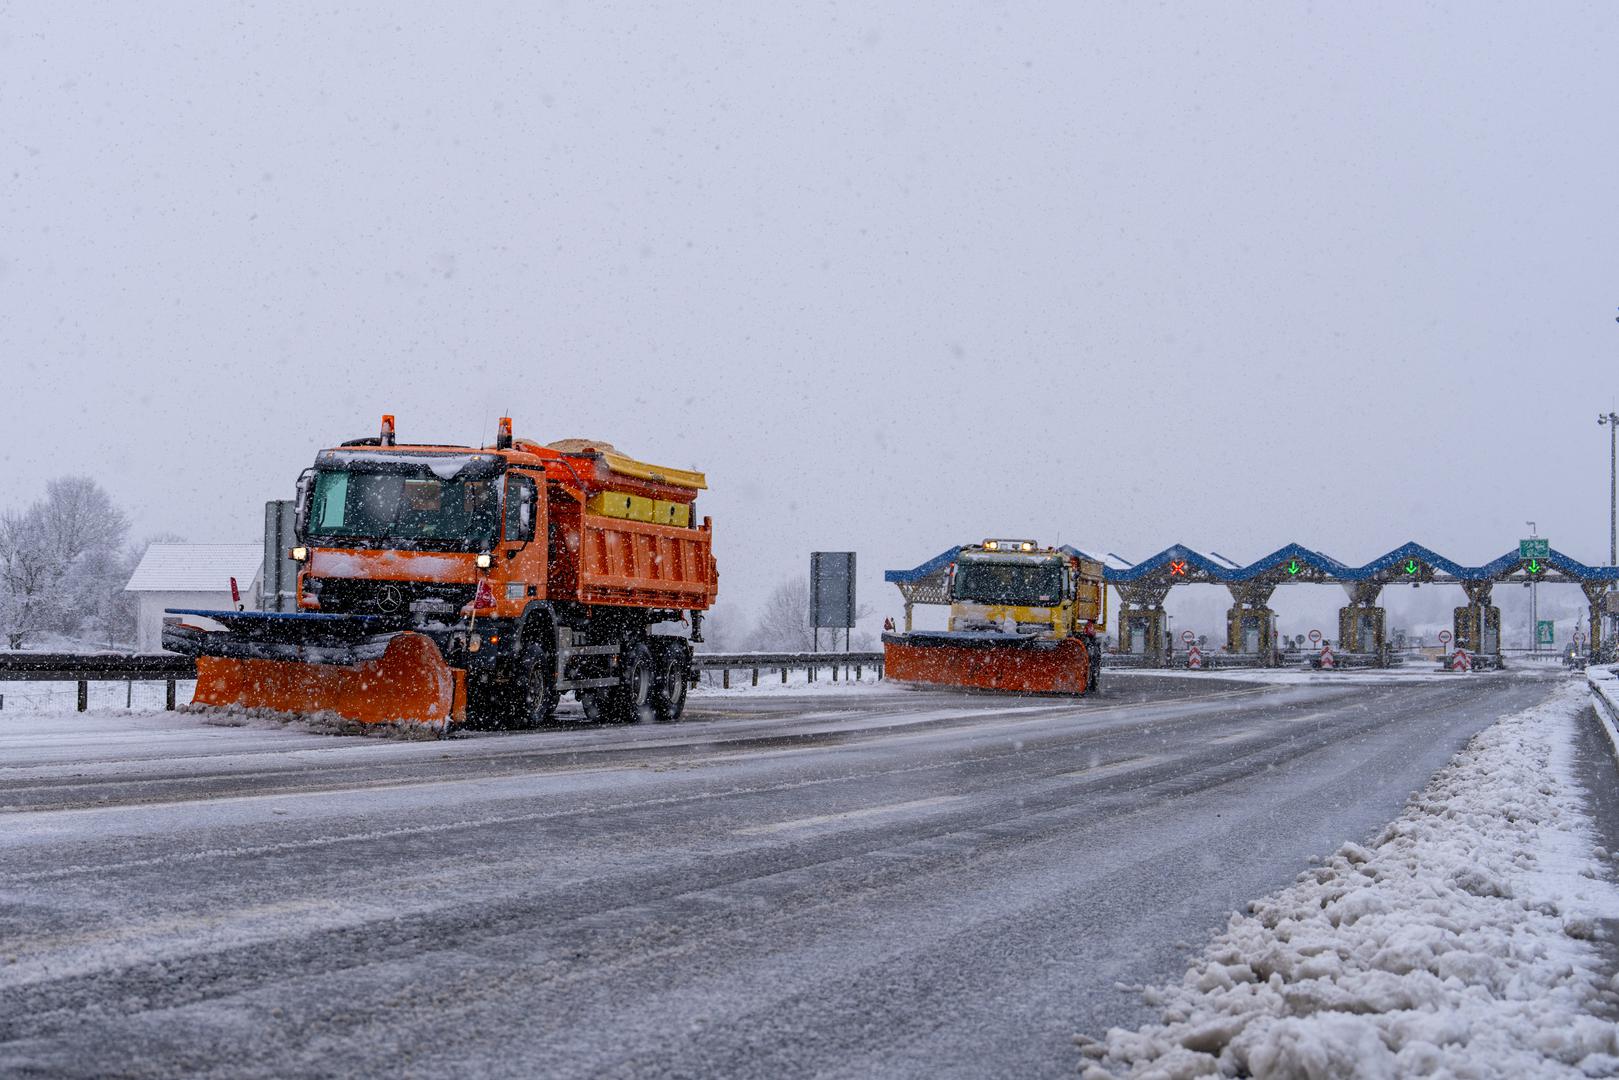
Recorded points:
(407, 511)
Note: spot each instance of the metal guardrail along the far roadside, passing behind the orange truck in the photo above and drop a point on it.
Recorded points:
(132, 668)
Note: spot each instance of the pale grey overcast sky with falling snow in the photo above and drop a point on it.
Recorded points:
(896, 278)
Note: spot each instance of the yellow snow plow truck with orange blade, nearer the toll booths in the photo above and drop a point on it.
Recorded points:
(1024, 619)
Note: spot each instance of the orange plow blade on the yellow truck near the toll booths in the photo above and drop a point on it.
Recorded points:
(988, 663)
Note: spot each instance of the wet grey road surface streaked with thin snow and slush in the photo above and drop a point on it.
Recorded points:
(859, 883)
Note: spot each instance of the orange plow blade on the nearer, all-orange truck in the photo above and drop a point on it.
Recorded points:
(409, 684)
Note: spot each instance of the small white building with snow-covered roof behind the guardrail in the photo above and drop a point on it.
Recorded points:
(190, 576)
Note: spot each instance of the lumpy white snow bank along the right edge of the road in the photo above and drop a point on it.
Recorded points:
(1458, 943)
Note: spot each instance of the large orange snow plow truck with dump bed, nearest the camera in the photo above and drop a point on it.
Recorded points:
(449, 585)
